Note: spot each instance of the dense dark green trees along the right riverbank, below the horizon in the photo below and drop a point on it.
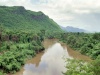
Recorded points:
(85, 43)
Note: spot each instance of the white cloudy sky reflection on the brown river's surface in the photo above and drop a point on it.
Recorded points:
(51, 63)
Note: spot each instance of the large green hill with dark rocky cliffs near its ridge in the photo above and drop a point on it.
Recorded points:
(17, 18)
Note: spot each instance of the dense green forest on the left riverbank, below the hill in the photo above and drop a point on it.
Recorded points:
(17, 47)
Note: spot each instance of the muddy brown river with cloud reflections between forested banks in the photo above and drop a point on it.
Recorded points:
(51, 61)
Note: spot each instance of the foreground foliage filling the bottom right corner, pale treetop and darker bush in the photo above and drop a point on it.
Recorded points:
(78, 67)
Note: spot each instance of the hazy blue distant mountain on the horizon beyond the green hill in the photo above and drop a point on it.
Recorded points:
(72, 29)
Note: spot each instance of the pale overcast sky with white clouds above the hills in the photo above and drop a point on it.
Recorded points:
(84, 14)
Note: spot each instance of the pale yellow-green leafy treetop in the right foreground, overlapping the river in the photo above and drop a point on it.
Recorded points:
(78, 67)
